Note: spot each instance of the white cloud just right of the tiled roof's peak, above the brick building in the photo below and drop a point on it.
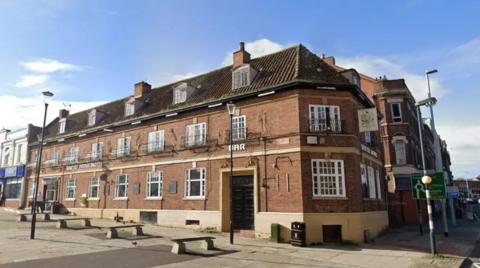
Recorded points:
(377, 66)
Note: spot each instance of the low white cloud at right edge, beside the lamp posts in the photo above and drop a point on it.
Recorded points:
(464, 146)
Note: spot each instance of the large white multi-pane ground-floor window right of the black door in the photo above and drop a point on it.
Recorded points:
(321, 178)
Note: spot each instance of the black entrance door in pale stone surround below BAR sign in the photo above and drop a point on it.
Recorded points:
(243, 202)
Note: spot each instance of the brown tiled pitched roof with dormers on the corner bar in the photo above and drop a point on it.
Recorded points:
(289, 65)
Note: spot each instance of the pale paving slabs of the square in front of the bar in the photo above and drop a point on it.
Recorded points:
(78, 243)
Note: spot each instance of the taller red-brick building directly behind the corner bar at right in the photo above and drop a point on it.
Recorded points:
(399, 142)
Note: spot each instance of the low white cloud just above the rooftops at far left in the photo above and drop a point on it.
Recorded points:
(17, 112)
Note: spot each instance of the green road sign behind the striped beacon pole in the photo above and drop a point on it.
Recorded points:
(437, 188)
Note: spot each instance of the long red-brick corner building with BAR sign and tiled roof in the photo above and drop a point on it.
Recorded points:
(162, 154)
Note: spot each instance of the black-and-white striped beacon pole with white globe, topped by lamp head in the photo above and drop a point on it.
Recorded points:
(427, 180)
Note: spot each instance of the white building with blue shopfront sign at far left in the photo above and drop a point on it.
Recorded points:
(13, 157)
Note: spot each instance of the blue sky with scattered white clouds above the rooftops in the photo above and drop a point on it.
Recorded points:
(88, 52)
